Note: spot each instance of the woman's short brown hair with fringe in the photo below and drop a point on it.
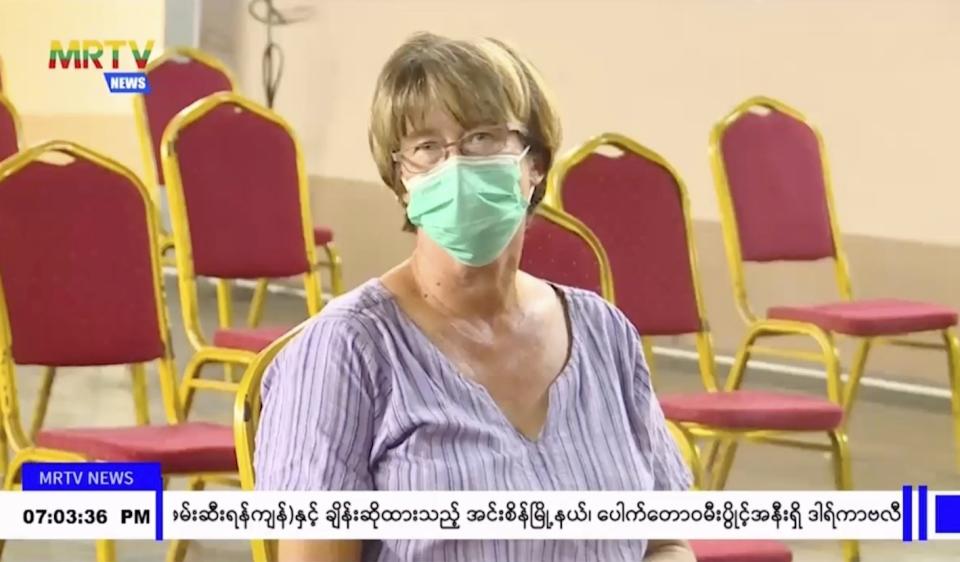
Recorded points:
(476, 82)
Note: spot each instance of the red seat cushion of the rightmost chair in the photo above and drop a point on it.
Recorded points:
(871, 317)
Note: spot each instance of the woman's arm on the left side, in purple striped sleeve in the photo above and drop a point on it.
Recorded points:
(316, 425)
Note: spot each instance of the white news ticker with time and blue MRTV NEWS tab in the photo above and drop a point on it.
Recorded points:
(127, 501)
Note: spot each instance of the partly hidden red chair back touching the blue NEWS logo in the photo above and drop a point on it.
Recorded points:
(177, 79)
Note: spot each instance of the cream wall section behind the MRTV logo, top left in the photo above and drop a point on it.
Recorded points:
(68, 103)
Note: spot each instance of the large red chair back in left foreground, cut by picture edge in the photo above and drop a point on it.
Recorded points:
(77, 262)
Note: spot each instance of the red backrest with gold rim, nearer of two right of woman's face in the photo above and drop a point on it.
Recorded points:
(635, 204)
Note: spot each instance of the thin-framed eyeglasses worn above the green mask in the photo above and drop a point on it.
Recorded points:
(481, 141)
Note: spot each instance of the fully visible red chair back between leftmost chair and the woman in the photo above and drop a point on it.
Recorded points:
(237, 190)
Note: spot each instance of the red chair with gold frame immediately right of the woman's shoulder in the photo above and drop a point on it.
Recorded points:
(637, 206)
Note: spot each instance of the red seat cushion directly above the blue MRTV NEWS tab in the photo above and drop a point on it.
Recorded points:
(180, 449)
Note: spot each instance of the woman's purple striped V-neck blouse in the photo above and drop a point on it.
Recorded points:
(362, 400)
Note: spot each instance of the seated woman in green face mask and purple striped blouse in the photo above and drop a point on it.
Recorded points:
(456, 371)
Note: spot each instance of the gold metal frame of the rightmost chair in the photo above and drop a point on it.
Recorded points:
(759, 327)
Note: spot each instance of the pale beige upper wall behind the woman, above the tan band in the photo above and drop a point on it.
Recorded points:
(880, 77)
